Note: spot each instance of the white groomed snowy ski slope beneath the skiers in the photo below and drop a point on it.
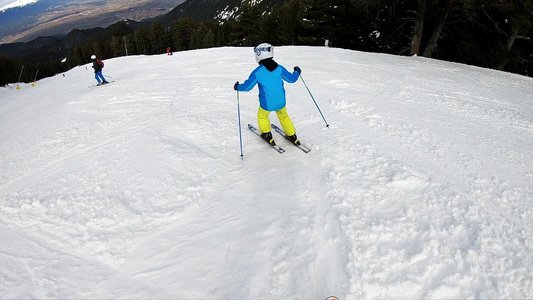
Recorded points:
(421, 188)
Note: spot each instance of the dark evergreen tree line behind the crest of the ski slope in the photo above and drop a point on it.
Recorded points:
(488, 33)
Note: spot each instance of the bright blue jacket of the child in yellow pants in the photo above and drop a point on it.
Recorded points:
(270, 76)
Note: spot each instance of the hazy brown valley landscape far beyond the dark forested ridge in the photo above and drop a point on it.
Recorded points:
(57, 17)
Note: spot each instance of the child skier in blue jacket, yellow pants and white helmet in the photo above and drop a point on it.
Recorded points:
(270, 76)
